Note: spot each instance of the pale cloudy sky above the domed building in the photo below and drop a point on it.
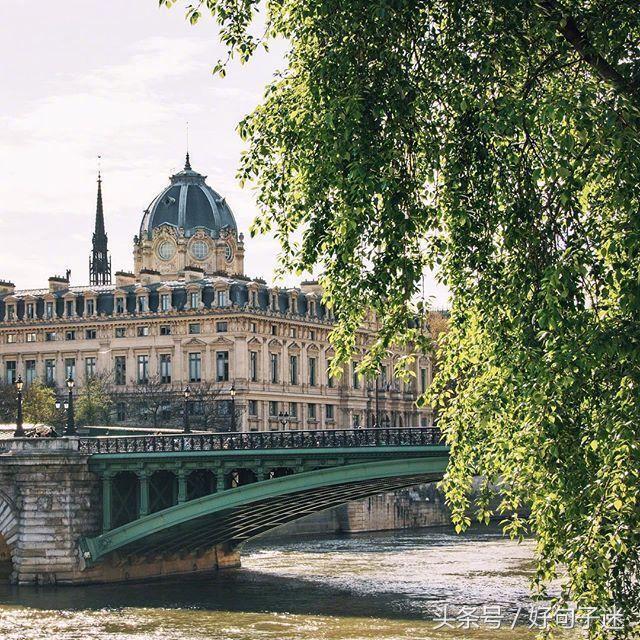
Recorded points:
(119, 78)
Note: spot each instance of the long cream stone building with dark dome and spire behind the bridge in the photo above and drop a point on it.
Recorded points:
(187, 316)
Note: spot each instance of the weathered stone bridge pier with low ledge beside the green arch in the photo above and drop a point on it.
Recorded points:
(49, 500)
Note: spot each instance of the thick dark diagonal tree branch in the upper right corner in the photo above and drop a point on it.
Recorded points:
(569, 29)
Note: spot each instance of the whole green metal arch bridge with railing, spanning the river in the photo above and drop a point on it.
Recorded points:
(173, 494)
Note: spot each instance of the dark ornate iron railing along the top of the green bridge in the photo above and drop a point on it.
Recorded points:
(331, 438)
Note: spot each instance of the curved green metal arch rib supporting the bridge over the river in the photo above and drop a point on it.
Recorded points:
(236, 515)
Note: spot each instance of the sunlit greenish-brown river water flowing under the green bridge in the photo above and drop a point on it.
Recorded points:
(384, 586)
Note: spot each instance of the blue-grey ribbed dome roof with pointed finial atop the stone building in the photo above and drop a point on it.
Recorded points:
(190, 204)
